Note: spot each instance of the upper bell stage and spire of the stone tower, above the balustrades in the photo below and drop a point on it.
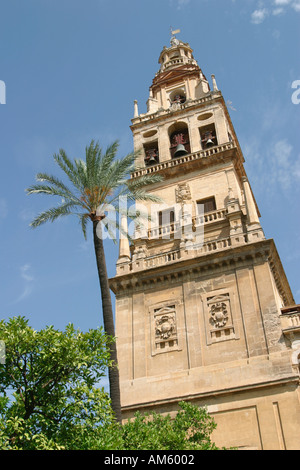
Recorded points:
(184, 114)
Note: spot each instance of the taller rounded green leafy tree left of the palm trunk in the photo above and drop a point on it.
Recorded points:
(49, 397)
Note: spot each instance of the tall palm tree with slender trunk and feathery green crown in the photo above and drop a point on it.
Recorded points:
(98, 181)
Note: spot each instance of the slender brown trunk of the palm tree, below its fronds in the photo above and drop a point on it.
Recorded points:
(113, 372)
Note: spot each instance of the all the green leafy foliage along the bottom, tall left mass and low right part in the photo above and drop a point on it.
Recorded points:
(50, 398)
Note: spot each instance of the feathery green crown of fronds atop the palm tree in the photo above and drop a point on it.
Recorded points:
(99, 180)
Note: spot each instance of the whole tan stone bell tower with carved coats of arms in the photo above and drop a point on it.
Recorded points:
(204, 311)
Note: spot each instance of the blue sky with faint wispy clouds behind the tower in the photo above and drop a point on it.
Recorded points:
(72, 70)
